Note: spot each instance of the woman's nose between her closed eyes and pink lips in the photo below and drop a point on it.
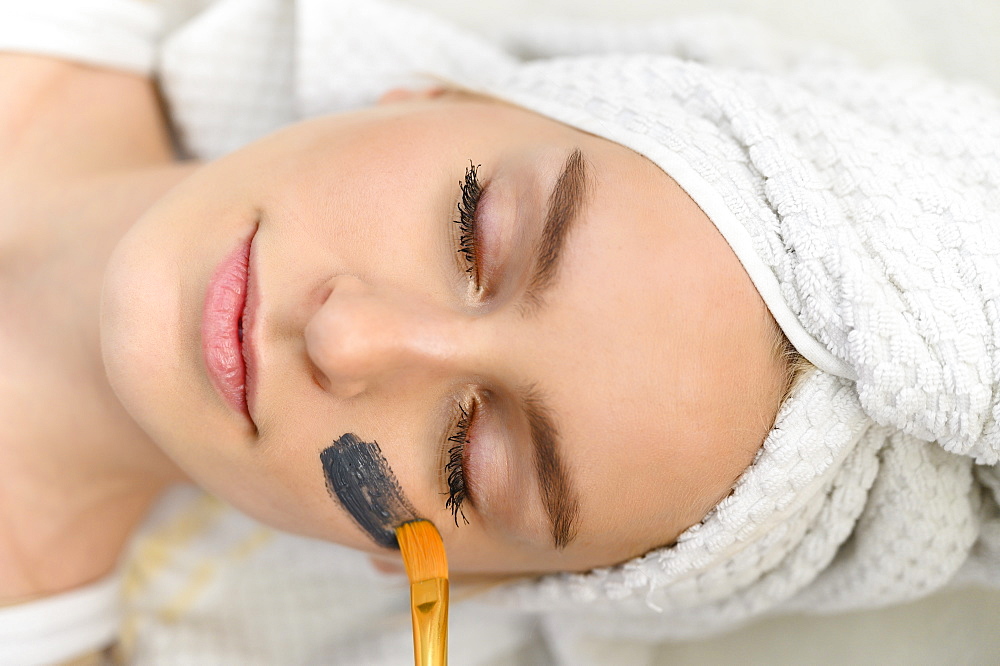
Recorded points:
(362, 336)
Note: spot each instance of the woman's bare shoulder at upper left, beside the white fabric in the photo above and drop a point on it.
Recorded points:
(64, 119)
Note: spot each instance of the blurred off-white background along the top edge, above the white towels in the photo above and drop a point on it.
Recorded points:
(958, 38)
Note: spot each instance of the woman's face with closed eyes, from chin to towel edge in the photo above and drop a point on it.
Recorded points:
(580, 362)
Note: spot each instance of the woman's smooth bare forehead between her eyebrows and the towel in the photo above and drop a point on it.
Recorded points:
(663, 381)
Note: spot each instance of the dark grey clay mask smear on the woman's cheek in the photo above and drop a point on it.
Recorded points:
(358, 475)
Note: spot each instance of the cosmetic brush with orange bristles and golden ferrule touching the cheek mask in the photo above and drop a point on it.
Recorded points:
(427, 569)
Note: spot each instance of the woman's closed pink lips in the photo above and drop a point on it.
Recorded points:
(229, 299)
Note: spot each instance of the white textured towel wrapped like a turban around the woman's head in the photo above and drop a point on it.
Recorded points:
(864, 206)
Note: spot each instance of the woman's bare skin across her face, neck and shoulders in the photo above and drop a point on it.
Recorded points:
(651, 349)
